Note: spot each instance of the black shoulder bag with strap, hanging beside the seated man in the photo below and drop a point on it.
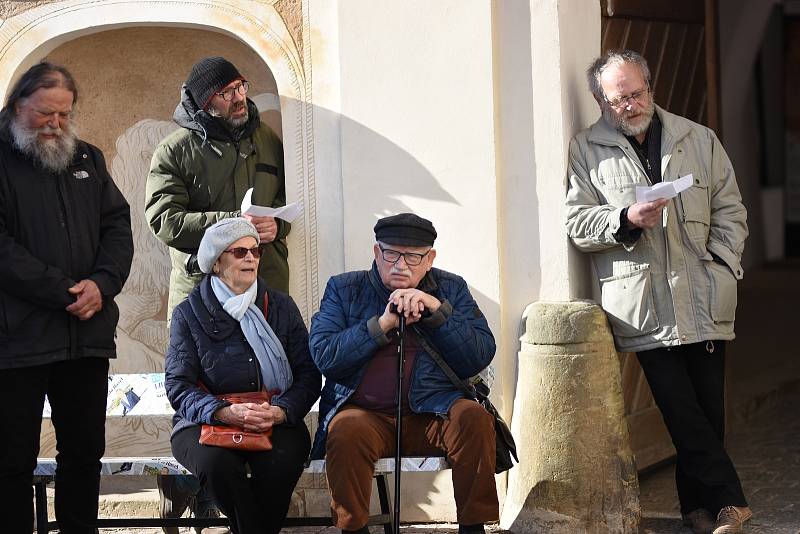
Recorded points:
(505, 447)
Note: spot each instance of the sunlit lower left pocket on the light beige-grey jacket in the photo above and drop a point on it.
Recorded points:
(628, 301)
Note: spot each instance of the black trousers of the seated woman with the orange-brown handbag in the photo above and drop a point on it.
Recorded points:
(257, 504)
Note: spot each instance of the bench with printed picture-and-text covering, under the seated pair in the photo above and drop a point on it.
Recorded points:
(137, 405)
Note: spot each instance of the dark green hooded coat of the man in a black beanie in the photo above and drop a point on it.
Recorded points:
(199, 175)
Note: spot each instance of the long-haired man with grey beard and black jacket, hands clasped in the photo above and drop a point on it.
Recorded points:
(66, 249)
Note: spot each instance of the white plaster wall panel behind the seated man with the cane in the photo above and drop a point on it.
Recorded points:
(417, 134)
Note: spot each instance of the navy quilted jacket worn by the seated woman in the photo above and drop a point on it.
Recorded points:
(206, 344)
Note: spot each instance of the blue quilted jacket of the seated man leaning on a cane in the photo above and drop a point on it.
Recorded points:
(345, 334)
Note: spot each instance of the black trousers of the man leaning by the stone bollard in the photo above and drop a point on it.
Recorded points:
(688, 384)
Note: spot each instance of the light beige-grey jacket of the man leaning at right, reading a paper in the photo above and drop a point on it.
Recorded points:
(664, 288)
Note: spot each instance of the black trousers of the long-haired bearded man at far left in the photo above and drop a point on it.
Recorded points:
(77, 390)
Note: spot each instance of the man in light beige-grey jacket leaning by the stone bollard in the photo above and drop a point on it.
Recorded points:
(667, 270)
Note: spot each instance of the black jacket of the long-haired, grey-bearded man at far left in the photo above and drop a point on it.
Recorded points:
(55, 230)
